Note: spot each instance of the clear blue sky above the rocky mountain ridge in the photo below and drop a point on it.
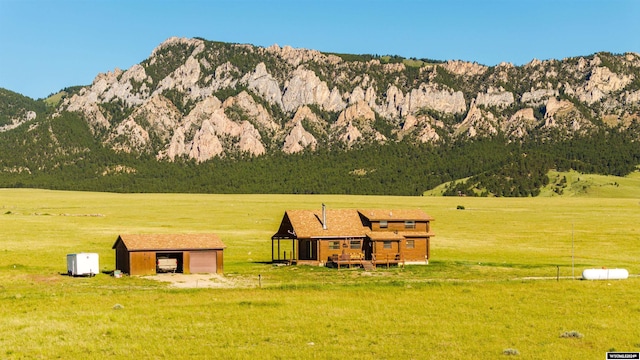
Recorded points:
(46, 45)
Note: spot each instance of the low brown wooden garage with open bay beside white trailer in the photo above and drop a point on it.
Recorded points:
(182, 253)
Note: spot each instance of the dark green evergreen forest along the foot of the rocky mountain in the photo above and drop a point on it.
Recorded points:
(61, 153)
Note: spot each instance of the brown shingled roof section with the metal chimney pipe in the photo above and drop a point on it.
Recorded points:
(340, 223)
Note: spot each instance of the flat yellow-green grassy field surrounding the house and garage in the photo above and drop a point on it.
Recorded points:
(491, 289)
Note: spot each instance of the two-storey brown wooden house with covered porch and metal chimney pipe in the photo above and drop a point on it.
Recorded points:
(353, 237)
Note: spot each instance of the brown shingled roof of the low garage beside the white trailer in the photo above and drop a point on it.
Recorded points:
(170, 242)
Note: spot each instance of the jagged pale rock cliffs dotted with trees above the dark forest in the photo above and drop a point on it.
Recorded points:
(196, 99)
